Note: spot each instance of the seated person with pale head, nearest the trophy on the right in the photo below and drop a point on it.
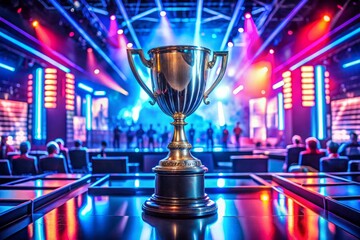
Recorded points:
(293, 152)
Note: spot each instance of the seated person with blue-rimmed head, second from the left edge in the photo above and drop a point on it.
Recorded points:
(24, 163)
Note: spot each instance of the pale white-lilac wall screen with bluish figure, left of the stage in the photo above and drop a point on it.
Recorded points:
(100, 108)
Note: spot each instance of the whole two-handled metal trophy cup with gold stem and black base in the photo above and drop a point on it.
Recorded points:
(179, 75)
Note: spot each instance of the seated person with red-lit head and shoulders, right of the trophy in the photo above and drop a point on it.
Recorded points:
(311, 156)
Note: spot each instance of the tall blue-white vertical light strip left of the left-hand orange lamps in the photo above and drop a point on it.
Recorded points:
(38, 103)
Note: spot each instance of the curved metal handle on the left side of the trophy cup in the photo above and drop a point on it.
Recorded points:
(147, 63)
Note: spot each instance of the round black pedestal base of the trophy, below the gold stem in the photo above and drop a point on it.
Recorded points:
(179, 193)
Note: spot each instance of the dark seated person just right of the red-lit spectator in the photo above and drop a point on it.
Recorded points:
(333, 162)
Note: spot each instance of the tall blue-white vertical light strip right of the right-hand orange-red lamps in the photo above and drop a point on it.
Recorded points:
(320, 101)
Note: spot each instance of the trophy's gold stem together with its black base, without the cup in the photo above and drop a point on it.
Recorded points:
(179, 181)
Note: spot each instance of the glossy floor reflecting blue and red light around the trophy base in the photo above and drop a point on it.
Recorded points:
(250, 206)
